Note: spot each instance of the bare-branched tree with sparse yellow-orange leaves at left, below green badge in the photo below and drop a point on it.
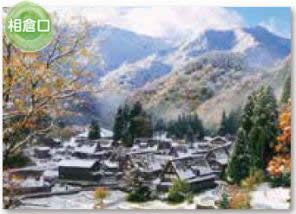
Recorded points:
(36, 86)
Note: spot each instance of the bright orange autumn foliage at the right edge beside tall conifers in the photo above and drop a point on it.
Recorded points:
(281, 162)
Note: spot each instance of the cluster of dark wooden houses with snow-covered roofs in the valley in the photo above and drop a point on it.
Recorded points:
(104, 162)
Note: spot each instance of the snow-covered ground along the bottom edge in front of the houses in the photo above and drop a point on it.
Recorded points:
(115, 200)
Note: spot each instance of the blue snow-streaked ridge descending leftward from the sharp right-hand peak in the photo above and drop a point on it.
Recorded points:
(260, 48)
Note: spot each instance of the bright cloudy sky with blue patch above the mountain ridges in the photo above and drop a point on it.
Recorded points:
(171, 22)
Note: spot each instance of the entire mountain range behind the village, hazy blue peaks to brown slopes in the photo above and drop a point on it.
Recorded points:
(209, 67)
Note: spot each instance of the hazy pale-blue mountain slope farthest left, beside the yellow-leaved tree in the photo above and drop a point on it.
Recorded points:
(115, 47)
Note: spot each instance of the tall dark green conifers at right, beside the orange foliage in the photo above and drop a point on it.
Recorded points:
(257, 132)
